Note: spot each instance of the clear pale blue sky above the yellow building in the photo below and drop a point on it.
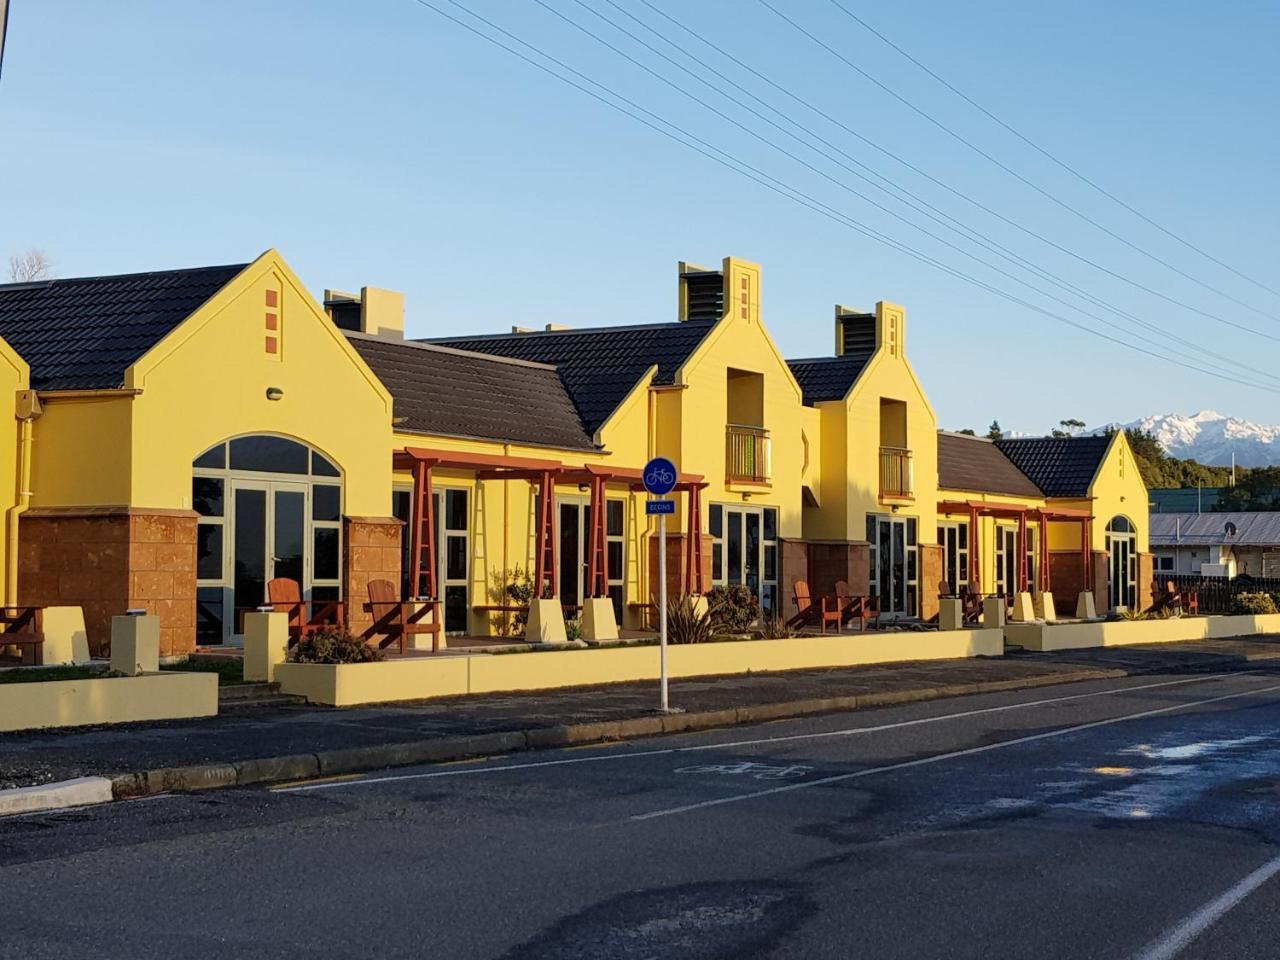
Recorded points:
(377, 144)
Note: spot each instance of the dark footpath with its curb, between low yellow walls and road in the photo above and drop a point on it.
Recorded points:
(299, 742)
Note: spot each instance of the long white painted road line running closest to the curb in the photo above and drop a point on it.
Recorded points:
(639, 755)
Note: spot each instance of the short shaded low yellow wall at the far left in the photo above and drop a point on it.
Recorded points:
(76, 703)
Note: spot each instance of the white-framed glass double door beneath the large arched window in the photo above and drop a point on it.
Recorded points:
(269, 540)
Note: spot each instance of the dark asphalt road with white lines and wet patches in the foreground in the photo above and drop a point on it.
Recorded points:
(1114, 820)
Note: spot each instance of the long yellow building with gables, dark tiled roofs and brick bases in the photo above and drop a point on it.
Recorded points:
(184, 437)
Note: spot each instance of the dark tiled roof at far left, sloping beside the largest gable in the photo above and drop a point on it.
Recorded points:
(84, 333)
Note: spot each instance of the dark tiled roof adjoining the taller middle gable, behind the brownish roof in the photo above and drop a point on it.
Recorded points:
(600, 367)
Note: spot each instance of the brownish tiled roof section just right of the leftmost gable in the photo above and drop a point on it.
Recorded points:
(449, 394)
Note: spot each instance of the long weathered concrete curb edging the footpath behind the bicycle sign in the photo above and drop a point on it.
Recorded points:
(364, 760)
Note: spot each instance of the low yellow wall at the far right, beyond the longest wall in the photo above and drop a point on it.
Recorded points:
(1122, 633)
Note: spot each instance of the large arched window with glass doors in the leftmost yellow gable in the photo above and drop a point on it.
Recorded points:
(269, 508)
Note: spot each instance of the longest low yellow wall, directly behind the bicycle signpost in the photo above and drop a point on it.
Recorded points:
(348, 685)
